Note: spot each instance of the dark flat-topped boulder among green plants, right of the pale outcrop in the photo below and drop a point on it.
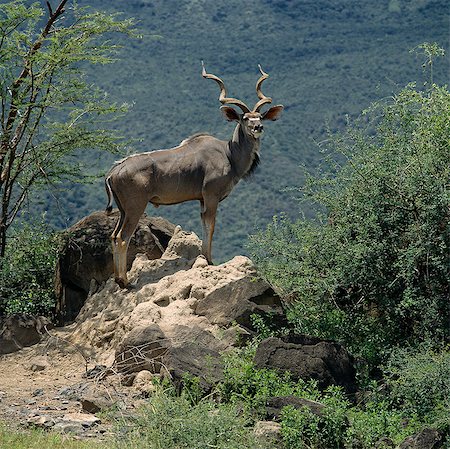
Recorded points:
(308, 358)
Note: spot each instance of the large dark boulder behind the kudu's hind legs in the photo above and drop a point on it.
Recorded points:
(85, 257)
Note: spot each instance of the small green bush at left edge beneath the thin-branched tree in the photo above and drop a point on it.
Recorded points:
(27, 271)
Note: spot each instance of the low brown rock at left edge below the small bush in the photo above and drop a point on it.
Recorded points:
(21, 330)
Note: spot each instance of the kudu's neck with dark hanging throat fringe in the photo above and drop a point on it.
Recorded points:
(244, 151)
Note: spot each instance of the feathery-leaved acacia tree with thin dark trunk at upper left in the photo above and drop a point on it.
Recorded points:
(49, 111)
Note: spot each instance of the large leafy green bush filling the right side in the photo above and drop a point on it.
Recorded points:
(373, 270)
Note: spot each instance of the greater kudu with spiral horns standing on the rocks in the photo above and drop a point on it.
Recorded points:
(201, 168)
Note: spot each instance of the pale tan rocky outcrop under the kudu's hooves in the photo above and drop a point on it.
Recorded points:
(178, 315)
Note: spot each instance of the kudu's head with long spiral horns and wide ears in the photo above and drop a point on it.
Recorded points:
(250, 120)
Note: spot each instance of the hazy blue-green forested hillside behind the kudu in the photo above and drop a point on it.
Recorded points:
(326, 60)
